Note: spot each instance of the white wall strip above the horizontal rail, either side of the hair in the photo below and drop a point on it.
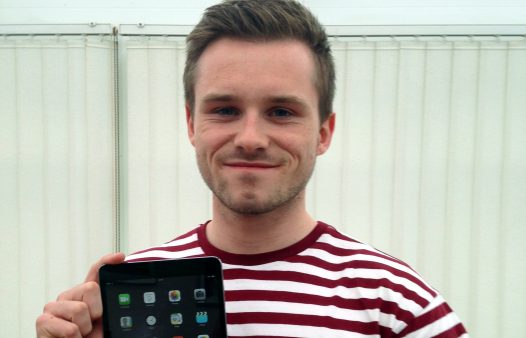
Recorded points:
(330, 12)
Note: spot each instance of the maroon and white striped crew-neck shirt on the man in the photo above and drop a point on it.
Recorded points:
(326, 285)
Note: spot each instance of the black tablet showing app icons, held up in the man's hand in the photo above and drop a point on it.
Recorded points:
(164, 299)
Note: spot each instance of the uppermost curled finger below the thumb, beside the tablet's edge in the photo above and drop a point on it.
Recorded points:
(87, 293)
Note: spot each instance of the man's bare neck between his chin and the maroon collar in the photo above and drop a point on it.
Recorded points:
(253, 234)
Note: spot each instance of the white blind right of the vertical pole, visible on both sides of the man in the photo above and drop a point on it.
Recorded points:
(428, 161)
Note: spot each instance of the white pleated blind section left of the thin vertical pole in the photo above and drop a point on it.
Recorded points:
(56, 168)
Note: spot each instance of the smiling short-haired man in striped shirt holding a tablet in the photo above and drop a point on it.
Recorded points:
(259, 84)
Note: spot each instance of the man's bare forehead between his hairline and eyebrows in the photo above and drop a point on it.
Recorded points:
(277, 67)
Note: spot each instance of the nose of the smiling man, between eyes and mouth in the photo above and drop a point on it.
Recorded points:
(251, 135)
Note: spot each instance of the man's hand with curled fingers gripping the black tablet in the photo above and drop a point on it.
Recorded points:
(78, 311)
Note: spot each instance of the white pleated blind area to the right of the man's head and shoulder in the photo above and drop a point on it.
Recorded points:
(429, 164)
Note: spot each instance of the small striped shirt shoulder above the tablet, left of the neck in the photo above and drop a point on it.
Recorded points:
(185, 245)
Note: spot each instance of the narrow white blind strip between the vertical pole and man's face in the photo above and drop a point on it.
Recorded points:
(165, 194)
